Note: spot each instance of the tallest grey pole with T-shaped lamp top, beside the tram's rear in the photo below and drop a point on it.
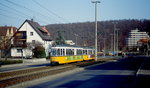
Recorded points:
(95, 2)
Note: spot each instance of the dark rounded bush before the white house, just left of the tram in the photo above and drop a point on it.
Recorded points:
(39, 52)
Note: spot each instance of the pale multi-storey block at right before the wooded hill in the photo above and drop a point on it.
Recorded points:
(133, 39)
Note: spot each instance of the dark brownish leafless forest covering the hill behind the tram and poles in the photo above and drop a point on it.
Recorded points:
(84, 33)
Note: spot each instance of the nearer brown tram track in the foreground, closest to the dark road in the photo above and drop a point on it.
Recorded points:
(31, 76)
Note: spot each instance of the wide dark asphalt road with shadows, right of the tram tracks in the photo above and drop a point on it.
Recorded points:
(124, 73)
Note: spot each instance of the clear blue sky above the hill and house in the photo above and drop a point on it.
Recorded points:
(15, 12)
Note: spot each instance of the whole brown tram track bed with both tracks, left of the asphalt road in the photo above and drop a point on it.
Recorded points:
(15, 77)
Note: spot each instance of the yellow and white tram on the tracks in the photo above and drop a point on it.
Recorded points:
(62, 54)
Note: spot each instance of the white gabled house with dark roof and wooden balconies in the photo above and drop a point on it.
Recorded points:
(29, 34)
